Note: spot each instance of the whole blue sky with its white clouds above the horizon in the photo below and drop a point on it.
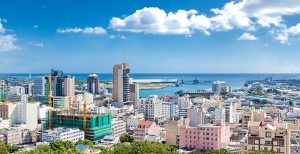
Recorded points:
(190, 36)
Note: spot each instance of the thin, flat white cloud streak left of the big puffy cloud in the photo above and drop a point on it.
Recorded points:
(86, 30)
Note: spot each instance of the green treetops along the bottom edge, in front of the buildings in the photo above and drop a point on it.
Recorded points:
(67, 147)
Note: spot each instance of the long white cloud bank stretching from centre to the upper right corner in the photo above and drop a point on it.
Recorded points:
(246, 15)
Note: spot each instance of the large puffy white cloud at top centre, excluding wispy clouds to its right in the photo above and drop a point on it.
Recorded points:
(153, 20)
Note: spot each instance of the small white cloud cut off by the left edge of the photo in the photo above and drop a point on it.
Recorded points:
(6, 40)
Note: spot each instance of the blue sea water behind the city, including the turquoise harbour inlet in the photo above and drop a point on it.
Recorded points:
(234, 80)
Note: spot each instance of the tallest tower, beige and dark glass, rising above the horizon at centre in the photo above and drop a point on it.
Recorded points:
(121, 82)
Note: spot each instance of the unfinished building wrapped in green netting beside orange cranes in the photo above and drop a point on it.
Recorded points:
(95, 126)
